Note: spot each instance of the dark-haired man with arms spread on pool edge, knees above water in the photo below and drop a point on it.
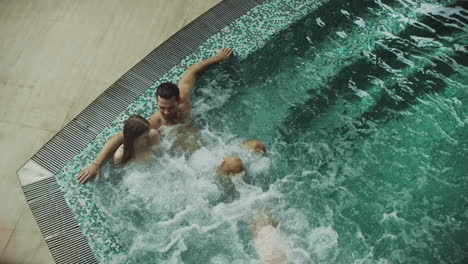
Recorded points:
(175, 108)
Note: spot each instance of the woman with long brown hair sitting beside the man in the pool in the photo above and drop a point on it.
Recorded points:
(138, 141)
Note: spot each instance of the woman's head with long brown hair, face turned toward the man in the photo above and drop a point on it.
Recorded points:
(136, 136)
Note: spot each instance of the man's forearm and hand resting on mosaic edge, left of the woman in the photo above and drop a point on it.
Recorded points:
(93, 169)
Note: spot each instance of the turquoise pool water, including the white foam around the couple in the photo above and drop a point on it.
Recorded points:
(362, 106)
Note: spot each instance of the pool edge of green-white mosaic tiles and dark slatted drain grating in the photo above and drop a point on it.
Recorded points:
(73, 227)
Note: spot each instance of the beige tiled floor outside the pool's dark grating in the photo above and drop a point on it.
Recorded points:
(56, 56)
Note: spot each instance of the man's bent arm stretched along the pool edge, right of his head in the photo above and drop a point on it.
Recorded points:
(187, 82)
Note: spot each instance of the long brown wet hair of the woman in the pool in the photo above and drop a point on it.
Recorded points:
(134, 127)
